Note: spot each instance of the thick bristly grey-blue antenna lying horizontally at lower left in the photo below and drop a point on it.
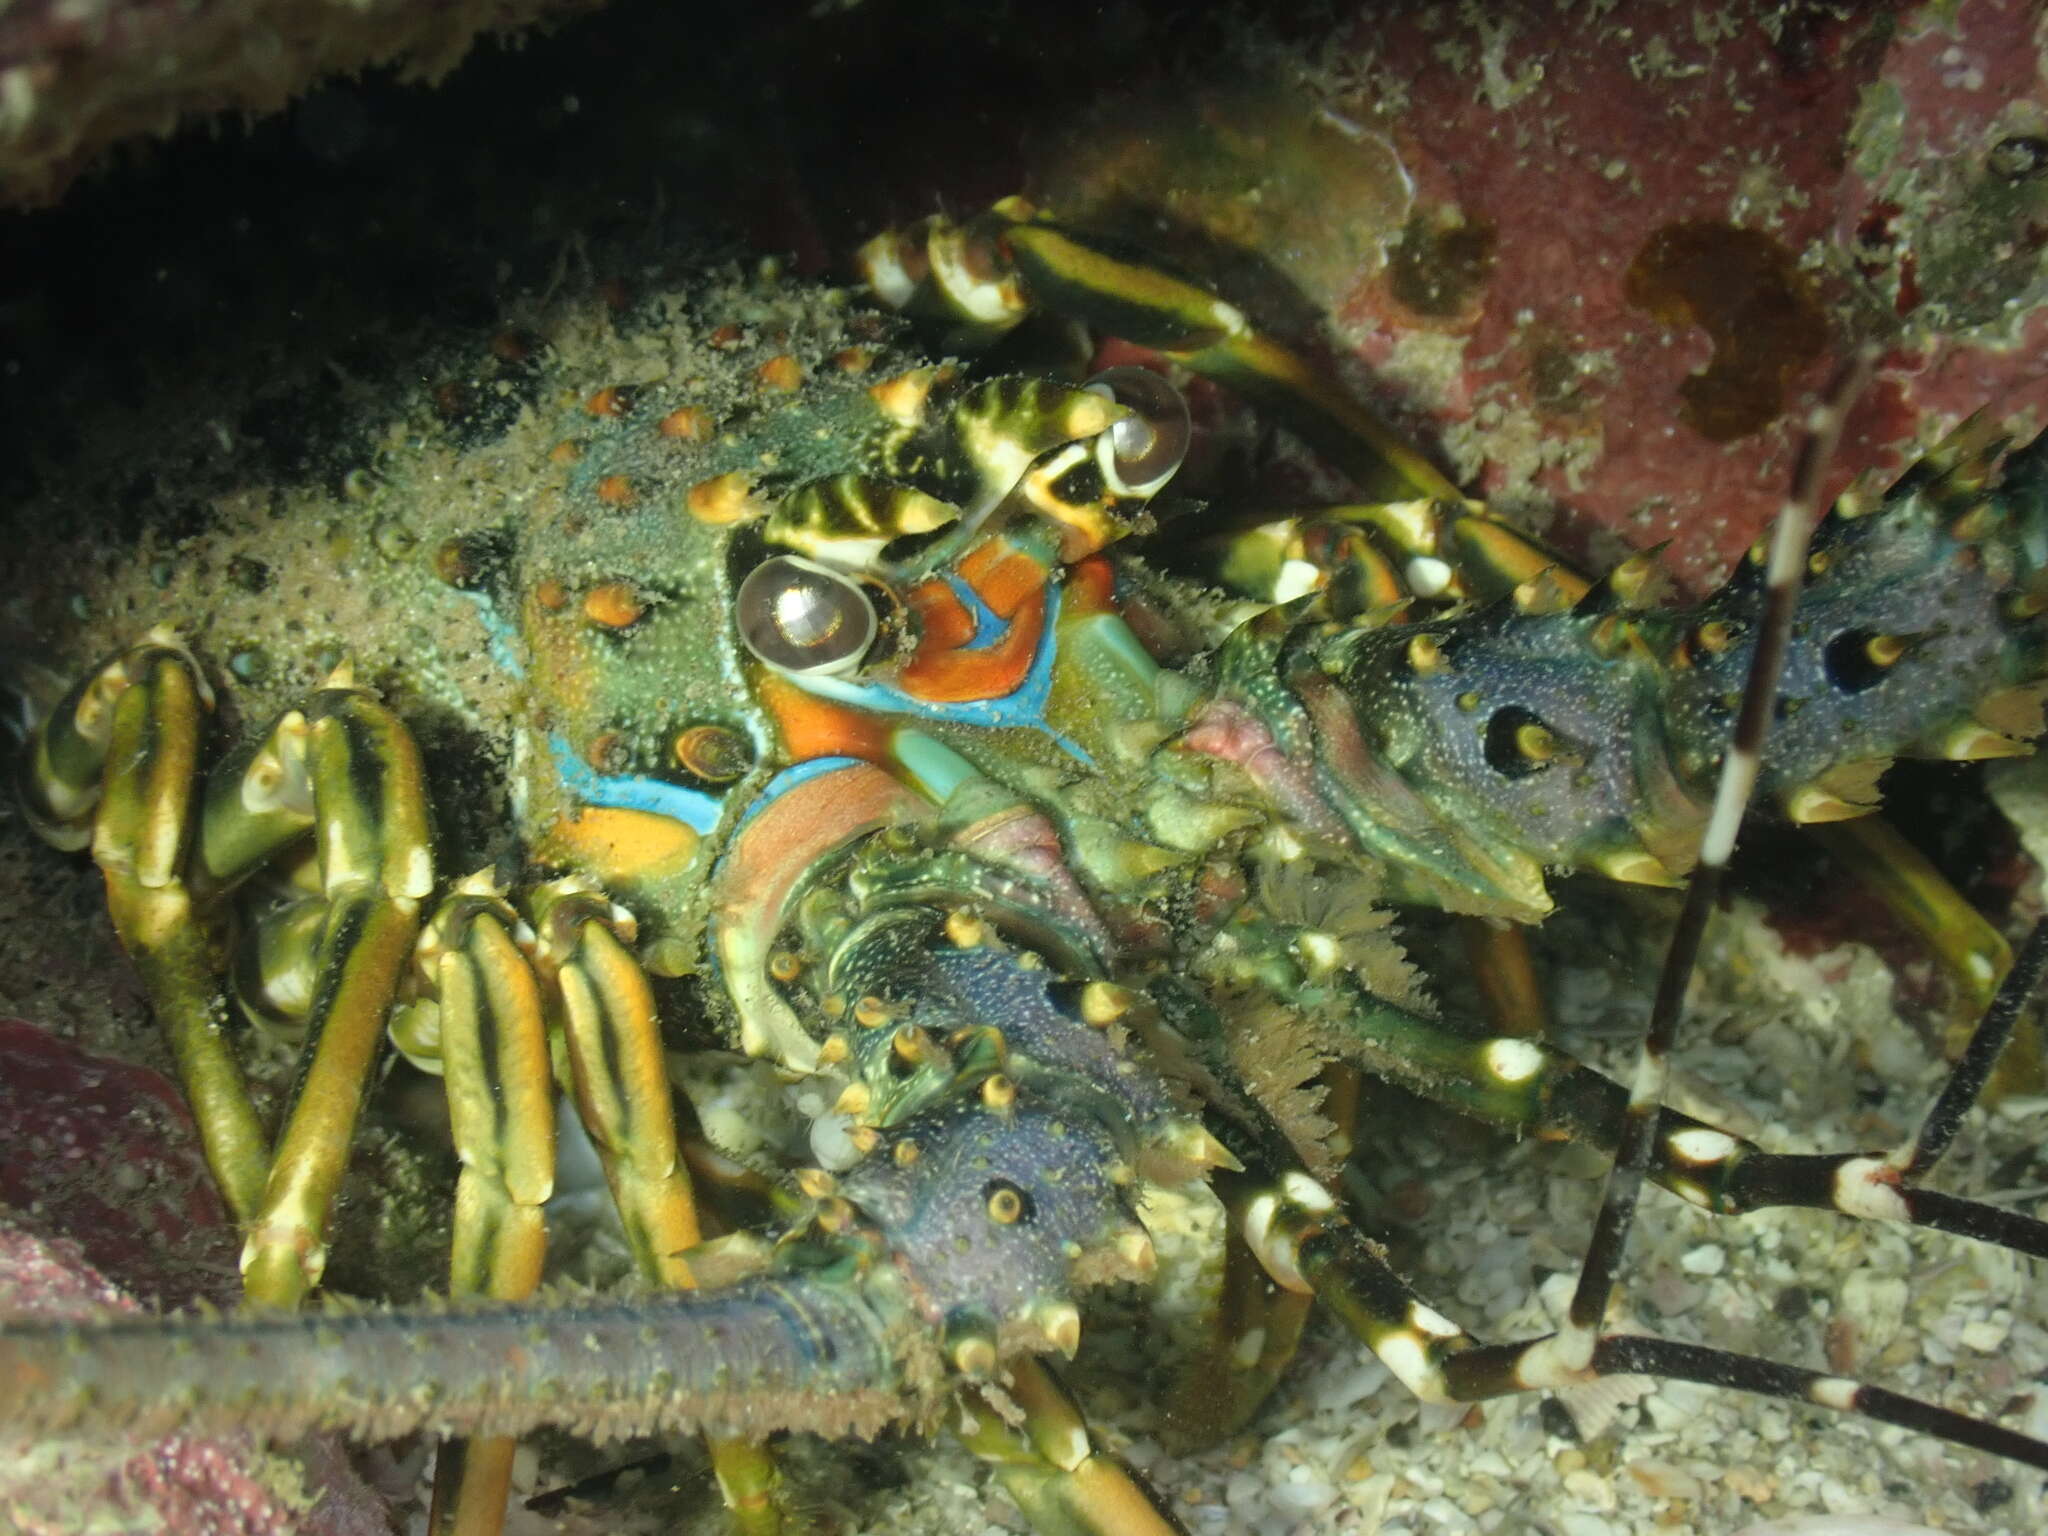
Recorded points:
(777, 1353)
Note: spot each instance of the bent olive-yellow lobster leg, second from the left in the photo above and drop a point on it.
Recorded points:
(351, 771)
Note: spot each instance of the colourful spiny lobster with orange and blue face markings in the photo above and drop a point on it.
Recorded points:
(837, 667)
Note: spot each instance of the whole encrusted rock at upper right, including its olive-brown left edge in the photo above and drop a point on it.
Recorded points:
(1601, 261)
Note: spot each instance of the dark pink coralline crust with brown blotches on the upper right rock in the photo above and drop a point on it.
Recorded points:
(1869, 169)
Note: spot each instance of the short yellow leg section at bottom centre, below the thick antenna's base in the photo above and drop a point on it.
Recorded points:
(1052, 1467)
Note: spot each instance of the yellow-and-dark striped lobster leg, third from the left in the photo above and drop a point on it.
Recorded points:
(478, 1021)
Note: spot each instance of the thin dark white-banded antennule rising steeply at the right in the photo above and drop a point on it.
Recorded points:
(1740, 767)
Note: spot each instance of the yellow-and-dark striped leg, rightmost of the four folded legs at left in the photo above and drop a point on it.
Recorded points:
(620, 1074)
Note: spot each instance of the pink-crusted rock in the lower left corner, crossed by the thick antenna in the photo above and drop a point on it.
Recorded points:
(101, 1177)
